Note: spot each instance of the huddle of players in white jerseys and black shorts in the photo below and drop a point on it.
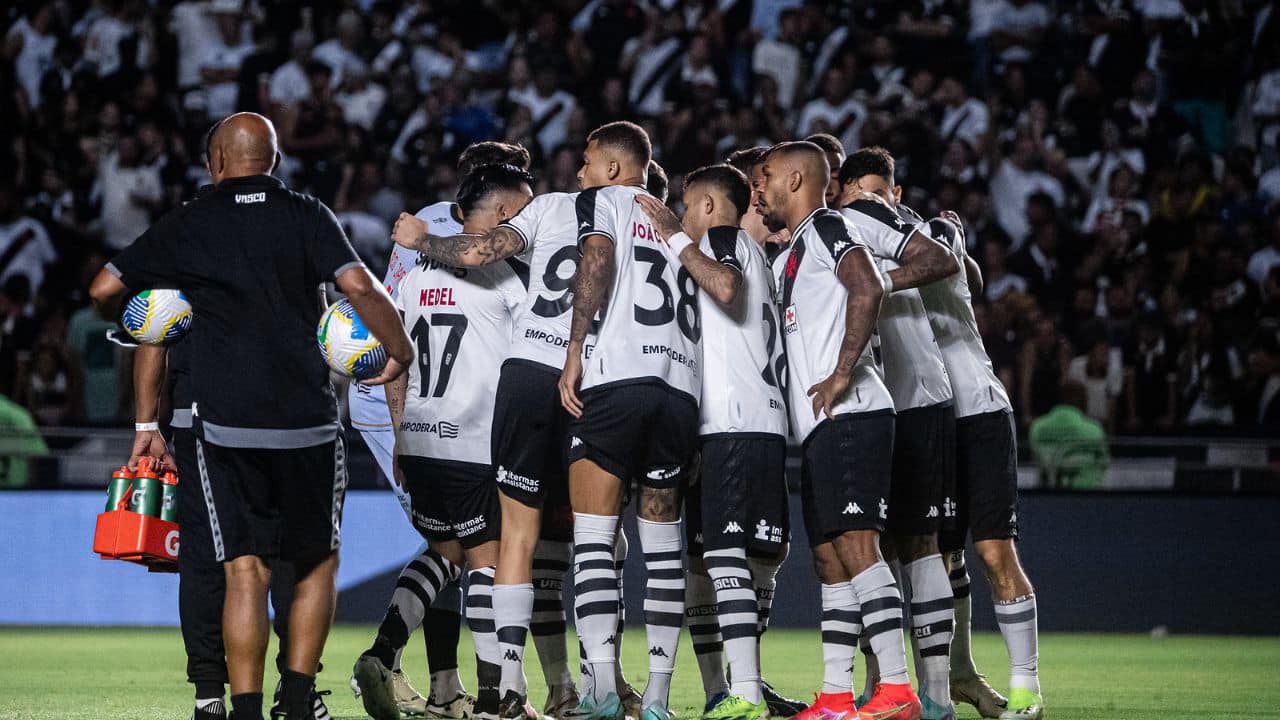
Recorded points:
(575, 352)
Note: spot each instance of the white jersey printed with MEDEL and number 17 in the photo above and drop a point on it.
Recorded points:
(460, 322)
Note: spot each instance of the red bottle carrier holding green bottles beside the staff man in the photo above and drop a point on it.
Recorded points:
(134, 537)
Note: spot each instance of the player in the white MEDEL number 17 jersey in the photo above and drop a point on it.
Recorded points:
(461, 322)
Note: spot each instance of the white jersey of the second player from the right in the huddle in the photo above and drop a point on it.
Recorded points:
(915, 371)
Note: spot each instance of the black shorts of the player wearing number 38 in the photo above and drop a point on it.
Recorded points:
(643, 431)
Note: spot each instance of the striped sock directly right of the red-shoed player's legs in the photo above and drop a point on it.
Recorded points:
(932, 625)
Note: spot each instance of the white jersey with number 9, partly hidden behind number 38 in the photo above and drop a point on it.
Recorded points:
(550, 227)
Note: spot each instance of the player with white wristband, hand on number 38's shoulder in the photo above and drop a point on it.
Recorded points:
(743, 434)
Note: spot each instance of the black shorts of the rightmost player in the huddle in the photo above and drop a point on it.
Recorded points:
(986, 481)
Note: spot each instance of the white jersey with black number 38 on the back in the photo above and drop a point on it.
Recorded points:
(650, 327)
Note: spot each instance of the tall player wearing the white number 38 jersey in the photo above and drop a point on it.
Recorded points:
(633, 395)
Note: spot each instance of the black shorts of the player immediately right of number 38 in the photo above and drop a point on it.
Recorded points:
(742, 495)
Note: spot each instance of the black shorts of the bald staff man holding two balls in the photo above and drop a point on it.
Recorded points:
(275, 503)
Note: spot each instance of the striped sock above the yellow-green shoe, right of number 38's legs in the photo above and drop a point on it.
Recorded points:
(739, 619)
